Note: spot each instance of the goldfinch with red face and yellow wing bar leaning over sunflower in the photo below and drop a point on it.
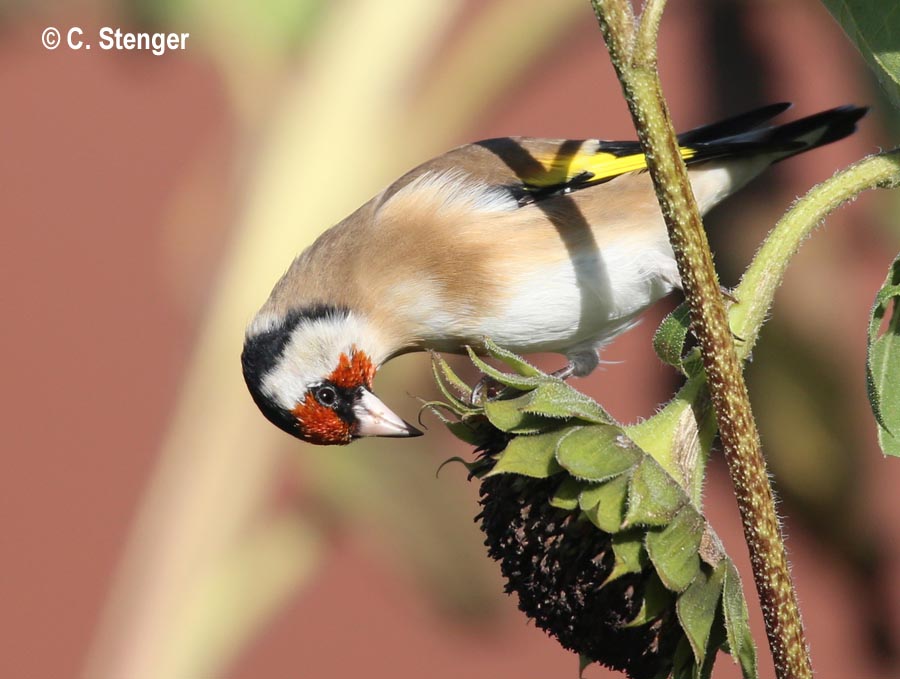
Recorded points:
(541, 245)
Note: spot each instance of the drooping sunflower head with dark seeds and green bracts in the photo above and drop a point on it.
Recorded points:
(587, 488)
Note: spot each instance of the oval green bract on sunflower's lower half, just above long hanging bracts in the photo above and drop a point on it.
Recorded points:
(673, 550)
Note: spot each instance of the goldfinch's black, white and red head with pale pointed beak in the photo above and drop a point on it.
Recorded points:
(311, 375)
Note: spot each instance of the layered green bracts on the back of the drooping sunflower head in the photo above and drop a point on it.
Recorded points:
(623, 490)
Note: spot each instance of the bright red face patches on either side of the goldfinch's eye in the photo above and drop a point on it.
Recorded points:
(322, 425)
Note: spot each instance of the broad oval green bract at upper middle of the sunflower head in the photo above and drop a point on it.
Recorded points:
(597, 453)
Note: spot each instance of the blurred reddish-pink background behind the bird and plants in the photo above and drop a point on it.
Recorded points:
(108, 272)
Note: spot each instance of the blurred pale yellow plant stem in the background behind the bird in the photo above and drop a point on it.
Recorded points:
(211, 557)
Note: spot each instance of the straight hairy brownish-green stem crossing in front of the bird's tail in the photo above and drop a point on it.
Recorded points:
(633, 55)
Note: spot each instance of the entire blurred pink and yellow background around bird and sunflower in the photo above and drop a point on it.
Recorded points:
(155, 525)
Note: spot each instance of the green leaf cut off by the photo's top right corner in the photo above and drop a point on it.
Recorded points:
(874, 27)
